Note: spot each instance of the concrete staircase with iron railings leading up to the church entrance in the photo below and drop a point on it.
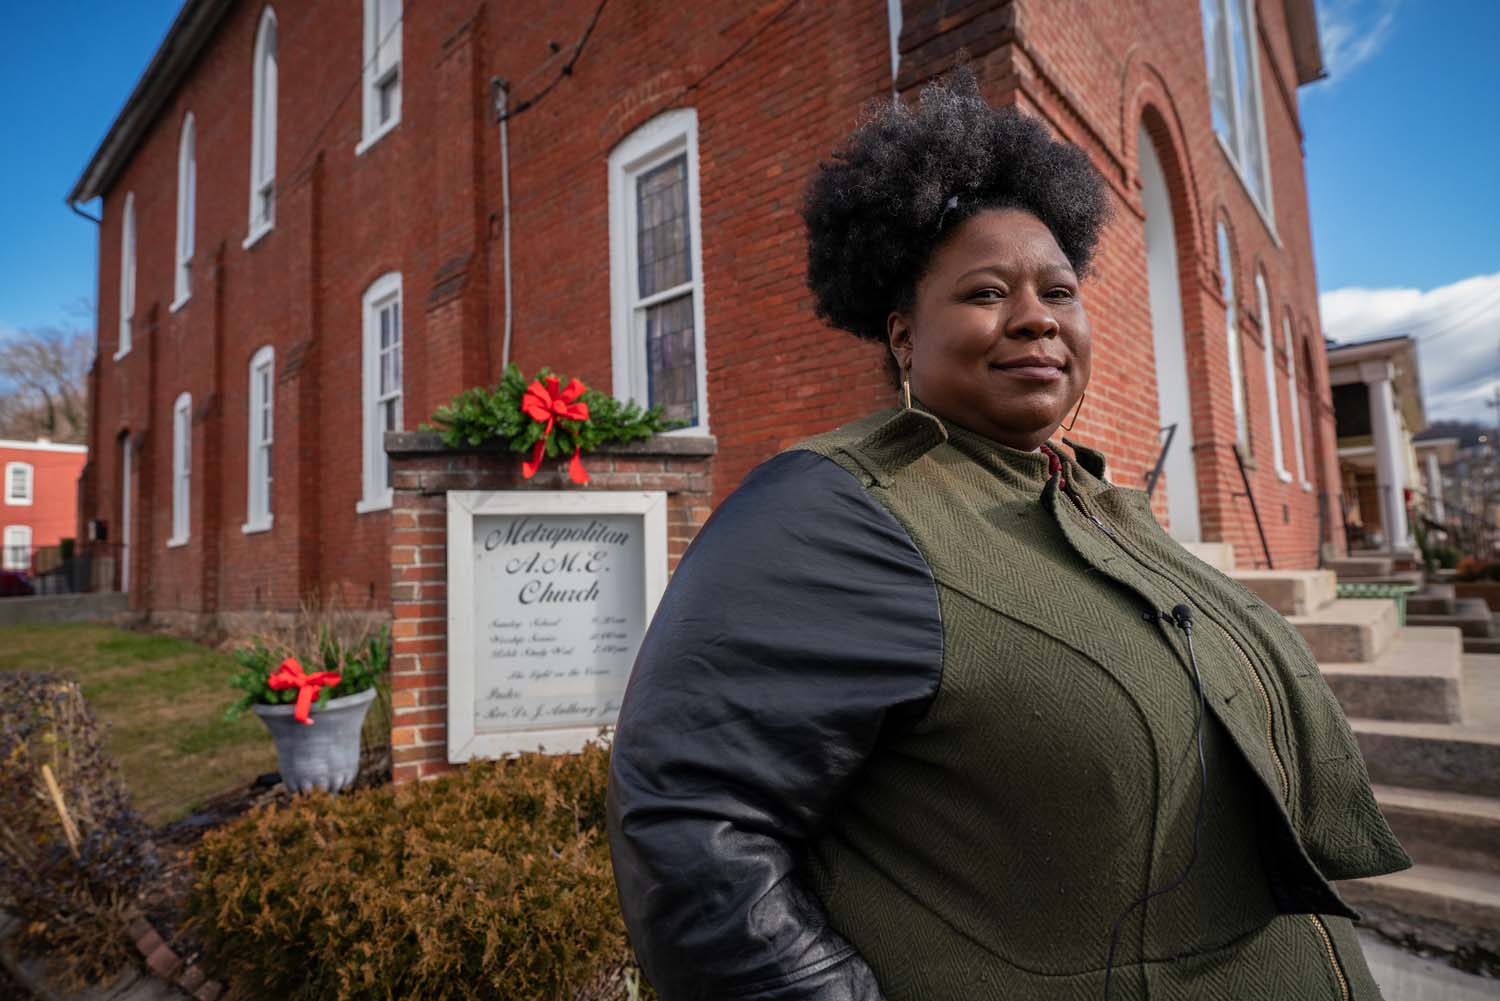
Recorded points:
(1427, 718)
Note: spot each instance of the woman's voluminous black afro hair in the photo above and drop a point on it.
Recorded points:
(886, 202)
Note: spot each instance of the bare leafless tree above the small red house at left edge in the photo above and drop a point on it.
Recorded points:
(44, 391)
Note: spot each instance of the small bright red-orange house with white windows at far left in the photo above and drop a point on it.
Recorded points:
(38, 500)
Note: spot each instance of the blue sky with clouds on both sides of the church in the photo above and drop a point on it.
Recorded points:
(1402, 161)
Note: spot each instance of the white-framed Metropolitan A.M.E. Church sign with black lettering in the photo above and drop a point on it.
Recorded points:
(550, 597)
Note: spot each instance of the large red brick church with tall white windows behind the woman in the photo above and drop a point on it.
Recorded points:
(317, 229)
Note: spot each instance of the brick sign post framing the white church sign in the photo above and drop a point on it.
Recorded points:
(424, 472)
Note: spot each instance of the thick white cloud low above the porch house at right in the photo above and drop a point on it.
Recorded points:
(1457, 329)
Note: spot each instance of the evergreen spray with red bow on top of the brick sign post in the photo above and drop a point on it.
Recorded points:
(481, 415)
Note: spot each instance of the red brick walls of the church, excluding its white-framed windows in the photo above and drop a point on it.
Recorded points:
(776, 86)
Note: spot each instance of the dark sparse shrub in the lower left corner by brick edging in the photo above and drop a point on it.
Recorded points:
(70, 874)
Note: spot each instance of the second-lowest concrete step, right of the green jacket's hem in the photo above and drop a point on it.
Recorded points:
(1445, 829)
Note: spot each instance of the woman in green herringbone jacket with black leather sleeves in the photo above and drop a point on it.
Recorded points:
(932, 712)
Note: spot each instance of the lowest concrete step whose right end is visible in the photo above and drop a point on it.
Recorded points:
(1418, 679)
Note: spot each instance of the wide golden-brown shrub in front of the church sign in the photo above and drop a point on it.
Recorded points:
(490, 883)
